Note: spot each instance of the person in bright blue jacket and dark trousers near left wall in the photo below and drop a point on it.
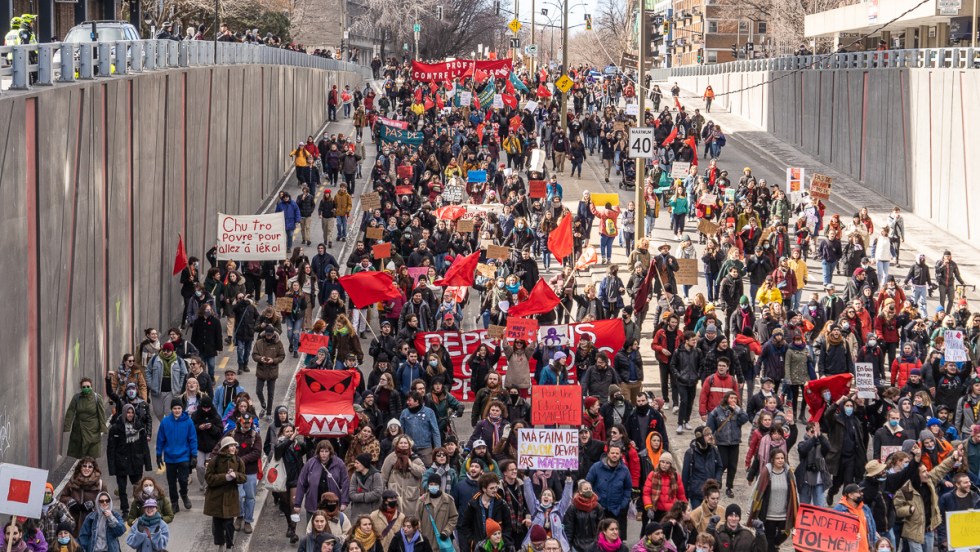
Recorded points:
(177, 447)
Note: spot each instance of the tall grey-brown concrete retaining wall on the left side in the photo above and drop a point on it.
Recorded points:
(98, 180)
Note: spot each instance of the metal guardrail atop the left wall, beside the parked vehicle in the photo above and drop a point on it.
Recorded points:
(62, 62)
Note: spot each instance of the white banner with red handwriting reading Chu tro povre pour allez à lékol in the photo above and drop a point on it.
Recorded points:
(252, 237)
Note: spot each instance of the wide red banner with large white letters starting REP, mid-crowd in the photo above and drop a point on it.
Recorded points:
(608, 336)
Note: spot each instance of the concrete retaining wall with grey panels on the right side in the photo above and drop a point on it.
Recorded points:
(903, 133)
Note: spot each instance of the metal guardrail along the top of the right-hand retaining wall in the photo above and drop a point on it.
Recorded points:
(923, 58)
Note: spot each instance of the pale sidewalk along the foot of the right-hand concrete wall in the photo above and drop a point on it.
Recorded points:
(849, 196)
